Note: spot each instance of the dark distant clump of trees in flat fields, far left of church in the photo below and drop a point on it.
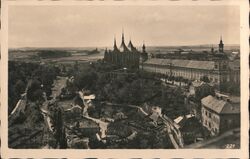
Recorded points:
(53, 53)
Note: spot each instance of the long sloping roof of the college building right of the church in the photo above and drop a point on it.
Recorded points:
(206, 65)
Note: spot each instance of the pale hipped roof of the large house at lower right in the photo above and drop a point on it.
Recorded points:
(220, 106)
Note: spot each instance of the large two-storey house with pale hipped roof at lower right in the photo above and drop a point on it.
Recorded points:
(219, 115)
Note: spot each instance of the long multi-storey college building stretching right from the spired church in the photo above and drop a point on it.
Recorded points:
(217, 71)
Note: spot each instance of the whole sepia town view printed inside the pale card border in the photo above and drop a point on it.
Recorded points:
(124, 77)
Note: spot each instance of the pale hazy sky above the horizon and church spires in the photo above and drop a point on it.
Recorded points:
(96, 26)
